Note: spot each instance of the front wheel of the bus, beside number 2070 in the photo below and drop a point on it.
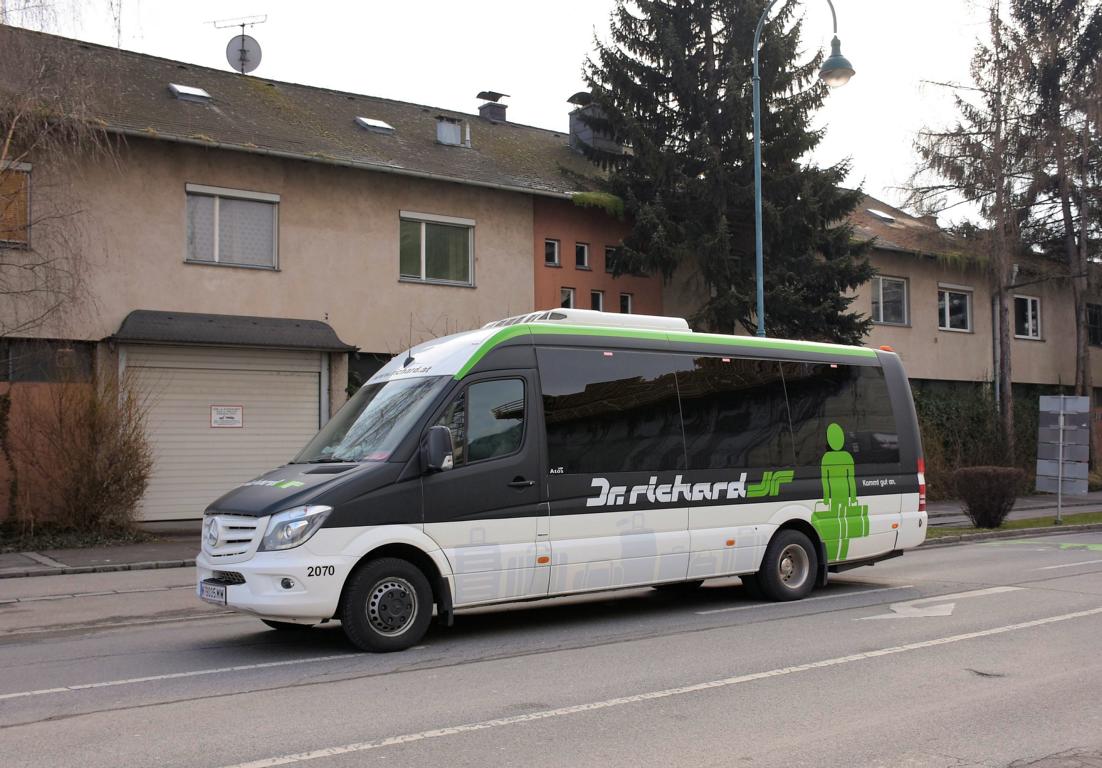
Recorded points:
(387, 607)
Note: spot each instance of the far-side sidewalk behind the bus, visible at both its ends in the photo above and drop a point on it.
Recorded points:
(178, 547)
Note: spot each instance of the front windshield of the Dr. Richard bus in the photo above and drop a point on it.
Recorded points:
(373, 423)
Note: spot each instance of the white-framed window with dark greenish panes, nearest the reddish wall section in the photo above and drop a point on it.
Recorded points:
(437, 250)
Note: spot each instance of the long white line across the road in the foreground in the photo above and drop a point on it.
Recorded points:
(592, 707)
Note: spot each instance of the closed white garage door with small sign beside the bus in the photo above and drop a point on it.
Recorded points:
(265, 404)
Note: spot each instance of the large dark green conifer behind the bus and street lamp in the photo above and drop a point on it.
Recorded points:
(674, 86)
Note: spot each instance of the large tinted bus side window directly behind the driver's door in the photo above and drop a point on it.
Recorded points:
(611, 412)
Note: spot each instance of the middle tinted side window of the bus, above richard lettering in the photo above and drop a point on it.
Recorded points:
(736, 415)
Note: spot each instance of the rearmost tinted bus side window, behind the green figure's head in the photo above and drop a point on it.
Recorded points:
(853, 397)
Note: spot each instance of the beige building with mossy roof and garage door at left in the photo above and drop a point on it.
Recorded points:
(249, 235)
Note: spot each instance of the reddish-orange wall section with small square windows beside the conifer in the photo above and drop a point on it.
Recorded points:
(563, 221)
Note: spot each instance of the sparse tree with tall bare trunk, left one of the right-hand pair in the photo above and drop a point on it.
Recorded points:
(980, 161)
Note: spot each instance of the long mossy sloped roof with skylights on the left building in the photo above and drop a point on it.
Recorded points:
(129, 92)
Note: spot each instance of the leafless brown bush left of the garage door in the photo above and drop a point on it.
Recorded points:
(83, 456)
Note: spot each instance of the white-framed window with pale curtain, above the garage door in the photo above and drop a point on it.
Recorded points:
(232, 228)
